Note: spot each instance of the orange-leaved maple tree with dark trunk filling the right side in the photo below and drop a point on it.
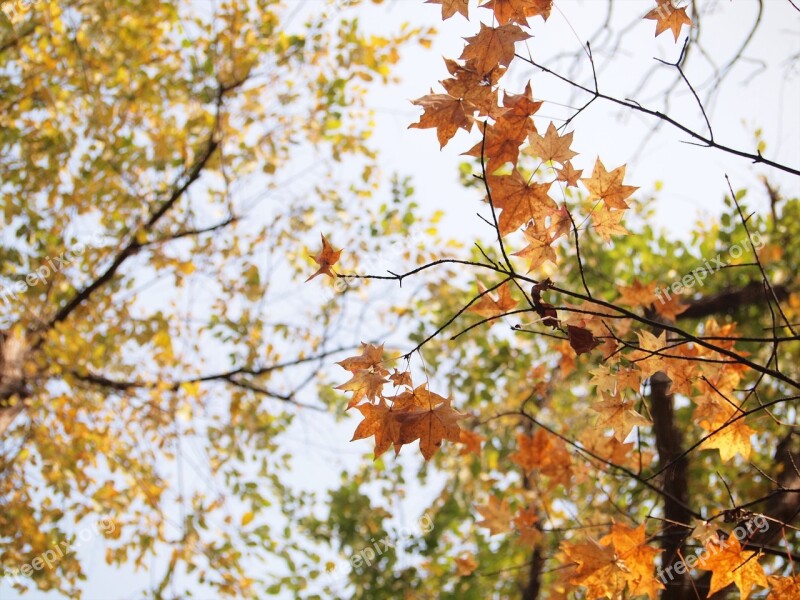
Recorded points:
(612, 411)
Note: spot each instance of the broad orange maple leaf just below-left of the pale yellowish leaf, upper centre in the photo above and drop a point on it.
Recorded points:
(519, 201)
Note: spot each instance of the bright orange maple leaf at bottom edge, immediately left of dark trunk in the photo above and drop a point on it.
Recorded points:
(639, 558)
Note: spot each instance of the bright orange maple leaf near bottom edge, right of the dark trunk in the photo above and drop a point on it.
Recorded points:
(729, 564)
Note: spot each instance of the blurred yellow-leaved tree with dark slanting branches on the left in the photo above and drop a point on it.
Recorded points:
(151, 156)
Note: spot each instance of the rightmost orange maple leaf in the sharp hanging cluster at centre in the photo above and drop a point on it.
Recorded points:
(430, 425)
